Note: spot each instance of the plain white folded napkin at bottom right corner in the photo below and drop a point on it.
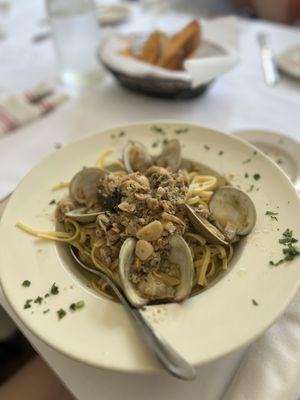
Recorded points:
(270, 369)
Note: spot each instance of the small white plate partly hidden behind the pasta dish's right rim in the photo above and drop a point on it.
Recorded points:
(283, 150)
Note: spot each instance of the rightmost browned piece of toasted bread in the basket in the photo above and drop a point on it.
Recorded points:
(180, 46)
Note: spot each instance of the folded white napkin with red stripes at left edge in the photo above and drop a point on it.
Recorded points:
(21, 109)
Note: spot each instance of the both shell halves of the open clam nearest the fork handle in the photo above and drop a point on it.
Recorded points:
(179, 254)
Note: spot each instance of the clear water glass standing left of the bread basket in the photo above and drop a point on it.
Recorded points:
(76, 35)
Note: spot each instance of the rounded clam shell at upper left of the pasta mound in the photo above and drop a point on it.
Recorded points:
(83, 186)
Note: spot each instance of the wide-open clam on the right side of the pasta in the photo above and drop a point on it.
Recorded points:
(233, 213)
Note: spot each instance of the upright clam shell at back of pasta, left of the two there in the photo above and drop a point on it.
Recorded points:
(136, 157)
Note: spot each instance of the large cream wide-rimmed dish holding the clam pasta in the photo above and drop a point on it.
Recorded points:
(207, 326)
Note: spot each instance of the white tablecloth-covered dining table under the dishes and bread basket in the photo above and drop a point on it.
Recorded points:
(239, 99)
